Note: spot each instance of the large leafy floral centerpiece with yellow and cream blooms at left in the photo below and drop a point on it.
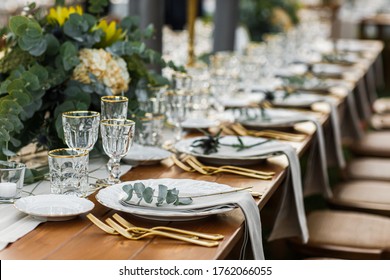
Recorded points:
(65, 59)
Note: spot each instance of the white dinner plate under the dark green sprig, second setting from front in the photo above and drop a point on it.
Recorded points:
(226, 154)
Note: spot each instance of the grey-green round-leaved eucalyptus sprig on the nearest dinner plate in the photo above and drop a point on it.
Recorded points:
(169, 196)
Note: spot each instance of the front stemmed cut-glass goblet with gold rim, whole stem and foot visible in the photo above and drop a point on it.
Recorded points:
(117, 137)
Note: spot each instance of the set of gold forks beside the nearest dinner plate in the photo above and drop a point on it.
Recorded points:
(119, 226)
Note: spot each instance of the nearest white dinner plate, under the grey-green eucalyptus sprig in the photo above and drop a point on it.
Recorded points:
(111, 197)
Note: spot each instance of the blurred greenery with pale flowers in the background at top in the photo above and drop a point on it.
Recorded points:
(268, 16)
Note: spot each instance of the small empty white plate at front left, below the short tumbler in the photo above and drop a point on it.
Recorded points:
(54, 207)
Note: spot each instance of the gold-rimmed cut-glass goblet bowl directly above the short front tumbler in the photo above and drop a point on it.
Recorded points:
(81, 129)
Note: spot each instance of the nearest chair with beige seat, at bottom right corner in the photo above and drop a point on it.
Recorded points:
(345, 235)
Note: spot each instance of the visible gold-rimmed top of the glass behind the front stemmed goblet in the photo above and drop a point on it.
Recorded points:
(114, 107)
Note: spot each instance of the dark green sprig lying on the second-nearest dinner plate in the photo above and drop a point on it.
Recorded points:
(211, 143)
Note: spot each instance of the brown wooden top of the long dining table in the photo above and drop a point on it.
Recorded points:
(80, 239)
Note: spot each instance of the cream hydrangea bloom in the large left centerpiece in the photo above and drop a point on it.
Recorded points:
(108, 69)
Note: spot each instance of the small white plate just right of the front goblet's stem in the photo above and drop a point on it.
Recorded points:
(145, 155)
